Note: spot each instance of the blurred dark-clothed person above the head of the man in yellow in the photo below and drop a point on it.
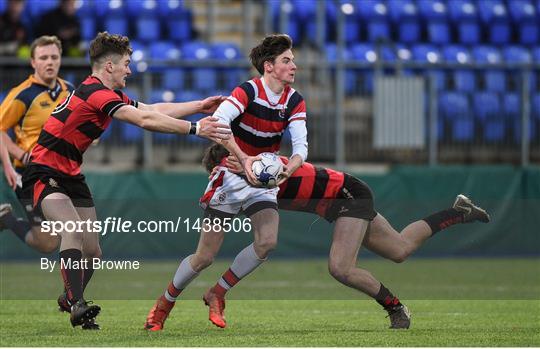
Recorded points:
(63, 22)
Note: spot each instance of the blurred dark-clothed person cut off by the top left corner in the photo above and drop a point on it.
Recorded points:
(12, 31)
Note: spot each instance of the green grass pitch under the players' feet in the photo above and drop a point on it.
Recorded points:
(454, 302)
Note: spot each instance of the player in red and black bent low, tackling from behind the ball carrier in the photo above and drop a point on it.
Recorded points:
(340, 197)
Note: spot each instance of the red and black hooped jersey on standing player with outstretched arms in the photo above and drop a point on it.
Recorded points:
(75, 124)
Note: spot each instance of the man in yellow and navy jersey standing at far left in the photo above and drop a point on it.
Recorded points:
(25, 110)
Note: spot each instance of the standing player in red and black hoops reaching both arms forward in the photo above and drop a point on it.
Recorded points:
(53, 179)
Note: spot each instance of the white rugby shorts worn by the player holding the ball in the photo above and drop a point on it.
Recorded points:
(229, 193)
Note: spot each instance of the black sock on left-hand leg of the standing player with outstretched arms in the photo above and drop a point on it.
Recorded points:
(71, 273)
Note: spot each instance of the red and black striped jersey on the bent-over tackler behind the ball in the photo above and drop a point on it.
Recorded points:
(310, 189)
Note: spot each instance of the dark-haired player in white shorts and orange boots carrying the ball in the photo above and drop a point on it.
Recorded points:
(258, 111)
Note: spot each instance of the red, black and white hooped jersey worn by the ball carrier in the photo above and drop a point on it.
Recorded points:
(261, 124)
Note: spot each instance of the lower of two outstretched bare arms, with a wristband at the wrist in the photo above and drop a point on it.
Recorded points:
(155, 121)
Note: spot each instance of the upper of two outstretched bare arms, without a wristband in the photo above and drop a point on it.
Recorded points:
(180, 110)
